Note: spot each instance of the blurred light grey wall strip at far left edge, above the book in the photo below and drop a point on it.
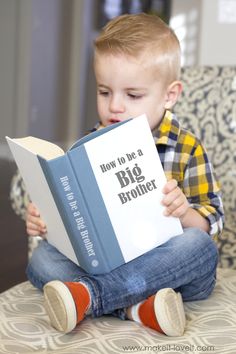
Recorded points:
(14, 68)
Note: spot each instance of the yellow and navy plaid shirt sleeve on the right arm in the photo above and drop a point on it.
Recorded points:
(199, 183)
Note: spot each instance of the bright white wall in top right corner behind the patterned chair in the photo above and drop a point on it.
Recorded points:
(205, 39)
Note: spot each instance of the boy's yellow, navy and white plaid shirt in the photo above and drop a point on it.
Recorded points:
(184, 158)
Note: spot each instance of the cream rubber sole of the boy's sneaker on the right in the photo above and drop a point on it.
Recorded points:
(169, 310)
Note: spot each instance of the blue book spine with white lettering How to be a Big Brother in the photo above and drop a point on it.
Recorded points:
(73, 211)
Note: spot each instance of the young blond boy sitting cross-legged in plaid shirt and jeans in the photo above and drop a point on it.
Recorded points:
(137, 65)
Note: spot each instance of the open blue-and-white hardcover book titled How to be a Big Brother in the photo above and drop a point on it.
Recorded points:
(101, 199)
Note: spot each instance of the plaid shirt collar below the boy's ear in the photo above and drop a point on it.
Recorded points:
(168, 131)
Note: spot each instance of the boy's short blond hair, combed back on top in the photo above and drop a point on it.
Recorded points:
(145, 36)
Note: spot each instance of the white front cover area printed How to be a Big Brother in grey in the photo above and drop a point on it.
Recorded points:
(137, 216)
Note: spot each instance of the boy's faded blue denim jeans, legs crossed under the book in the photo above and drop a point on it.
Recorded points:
(186, 263)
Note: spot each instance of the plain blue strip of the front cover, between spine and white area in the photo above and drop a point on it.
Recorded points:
(96, 206)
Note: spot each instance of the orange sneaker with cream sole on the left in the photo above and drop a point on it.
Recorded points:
(66, 304)
